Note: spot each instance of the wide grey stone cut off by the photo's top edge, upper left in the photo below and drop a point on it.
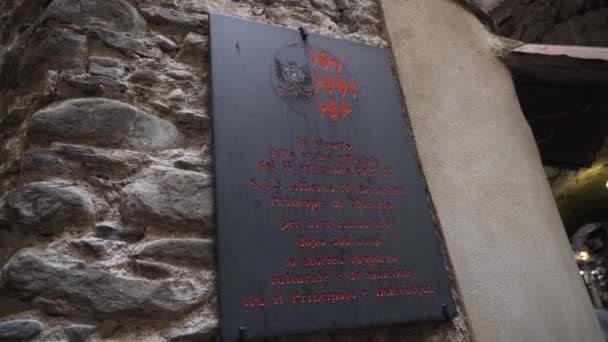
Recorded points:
(117, 15)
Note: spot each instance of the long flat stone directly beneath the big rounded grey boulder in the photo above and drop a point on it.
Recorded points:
(61, 159)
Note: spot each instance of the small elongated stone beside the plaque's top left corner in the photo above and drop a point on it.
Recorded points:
(167, 16)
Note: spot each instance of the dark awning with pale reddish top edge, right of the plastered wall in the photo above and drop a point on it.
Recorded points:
(563, 92)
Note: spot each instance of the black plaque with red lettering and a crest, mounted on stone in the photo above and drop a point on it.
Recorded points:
(322, 214)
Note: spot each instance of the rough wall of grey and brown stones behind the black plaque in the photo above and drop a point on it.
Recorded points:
(106, 209)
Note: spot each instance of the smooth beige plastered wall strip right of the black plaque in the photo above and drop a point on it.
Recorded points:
(505, 240)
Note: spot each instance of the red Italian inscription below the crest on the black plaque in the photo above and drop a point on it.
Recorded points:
(343, 239)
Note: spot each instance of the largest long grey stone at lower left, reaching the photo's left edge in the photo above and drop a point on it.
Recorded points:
(61, 284)
